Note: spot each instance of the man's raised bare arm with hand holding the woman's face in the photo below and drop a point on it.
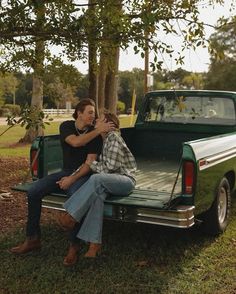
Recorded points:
(77, 141)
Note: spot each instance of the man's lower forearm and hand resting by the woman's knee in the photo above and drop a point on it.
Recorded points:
(66, 182)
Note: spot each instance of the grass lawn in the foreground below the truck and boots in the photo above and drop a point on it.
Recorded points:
(136, 258)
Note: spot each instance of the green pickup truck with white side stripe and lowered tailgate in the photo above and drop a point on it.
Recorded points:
(185, 146)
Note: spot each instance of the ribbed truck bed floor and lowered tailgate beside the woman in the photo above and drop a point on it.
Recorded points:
(155, 181)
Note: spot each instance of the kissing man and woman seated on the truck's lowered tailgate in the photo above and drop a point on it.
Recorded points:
(96, 163)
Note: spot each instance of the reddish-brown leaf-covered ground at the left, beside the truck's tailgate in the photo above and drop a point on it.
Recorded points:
(13, 204)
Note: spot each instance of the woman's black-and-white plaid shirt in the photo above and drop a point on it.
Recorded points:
(115, 157)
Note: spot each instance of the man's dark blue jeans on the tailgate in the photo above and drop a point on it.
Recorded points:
(40, 189)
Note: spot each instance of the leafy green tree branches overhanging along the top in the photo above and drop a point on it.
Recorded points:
(68, 24)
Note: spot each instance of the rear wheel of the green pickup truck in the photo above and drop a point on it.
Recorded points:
(217, 217)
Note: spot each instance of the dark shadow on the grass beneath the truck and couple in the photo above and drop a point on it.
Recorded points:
(136, 258)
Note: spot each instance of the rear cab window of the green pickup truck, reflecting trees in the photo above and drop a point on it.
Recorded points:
(191, 109)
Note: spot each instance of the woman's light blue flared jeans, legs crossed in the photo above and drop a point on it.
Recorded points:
(88, 202)
